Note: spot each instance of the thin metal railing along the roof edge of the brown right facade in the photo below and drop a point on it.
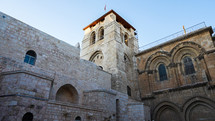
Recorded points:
(172, 36)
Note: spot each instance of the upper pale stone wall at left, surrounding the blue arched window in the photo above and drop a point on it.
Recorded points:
(17, 38)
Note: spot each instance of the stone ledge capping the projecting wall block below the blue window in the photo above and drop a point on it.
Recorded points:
(27, 72)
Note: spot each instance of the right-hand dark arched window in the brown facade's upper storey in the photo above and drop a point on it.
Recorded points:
(188, 65)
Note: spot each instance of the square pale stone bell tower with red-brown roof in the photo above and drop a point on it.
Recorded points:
(110, 43)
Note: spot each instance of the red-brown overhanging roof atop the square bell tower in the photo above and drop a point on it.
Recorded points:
(118, 19)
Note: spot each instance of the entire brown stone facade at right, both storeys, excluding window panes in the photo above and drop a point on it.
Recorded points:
(181, 96)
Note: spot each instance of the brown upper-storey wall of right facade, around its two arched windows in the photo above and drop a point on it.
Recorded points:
(198, 45)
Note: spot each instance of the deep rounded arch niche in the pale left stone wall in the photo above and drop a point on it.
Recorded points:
(67, 93)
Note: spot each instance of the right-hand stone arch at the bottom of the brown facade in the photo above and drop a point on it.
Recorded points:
(199, 108)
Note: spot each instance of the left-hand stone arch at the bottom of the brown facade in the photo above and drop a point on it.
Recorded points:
(166, 111)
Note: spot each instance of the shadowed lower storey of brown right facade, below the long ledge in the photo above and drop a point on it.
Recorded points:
(193, 103)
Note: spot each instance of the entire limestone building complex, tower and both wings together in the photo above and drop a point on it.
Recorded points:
(109, 79)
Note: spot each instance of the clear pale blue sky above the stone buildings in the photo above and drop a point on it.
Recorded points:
(153, 19)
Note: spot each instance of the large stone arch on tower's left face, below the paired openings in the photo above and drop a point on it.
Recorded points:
(97, 58)
